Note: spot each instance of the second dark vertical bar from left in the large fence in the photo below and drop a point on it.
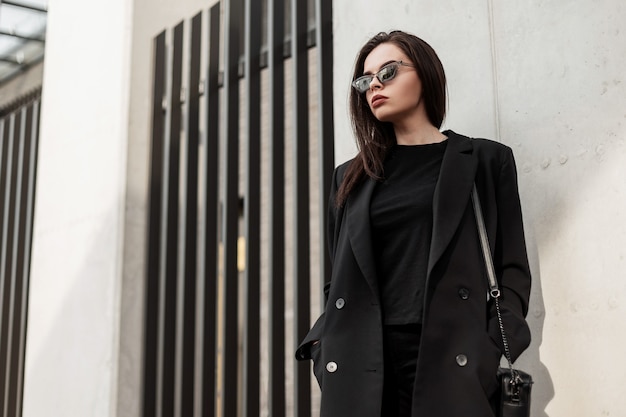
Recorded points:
(171, 257)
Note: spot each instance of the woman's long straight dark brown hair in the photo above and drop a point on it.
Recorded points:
(374, 138)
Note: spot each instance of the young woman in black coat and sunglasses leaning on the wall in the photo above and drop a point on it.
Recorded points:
(408, 328)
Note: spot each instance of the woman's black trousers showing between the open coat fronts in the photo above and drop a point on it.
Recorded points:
(401, 348)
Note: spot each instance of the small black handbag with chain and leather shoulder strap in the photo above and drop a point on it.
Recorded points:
(515, 385)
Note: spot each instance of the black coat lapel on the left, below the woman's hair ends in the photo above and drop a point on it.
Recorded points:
(360, 233)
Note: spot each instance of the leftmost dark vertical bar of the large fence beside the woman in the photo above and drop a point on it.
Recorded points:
(157, 163)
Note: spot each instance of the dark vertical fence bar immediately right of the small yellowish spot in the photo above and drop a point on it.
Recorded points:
(252, 210)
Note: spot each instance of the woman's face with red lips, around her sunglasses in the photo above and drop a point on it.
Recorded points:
(399, 98)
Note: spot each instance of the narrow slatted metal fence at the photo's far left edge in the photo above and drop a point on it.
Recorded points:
(19, 131)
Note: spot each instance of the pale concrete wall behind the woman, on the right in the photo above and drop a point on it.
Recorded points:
(545, 77)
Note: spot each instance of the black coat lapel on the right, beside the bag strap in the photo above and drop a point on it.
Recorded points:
(452, 193)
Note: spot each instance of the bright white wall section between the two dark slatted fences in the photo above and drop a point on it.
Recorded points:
(76, 259)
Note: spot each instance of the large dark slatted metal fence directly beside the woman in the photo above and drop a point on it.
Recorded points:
(242, 153)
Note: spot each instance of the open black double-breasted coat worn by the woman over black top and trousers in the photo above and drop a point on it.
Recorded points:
(460, 346)
